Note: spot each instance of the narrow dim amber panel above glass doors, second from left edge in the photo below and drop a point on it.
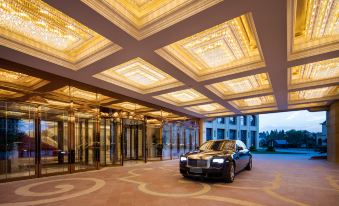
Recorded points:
(73, 93)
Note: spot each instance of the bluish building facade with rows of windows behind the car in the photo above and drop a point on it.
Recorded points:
(244, 128)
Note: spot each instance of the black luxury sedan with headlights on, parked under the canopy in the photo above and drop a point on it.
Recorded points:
(217, 159)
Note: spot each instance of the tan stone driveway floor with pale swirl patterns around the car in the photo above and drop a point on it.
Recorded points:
(275, 180)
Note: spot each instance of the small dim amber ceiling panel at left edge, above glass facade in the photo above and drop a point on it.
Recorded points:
(20, 80)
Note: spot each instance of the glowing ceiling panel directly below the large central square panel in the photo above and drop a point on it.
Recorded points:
(248, 84)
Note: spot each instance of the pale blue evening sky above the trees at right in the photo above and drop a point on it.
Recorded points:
(298, 120)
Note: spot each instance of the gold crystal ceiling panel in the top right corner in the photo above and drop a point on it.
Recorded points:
(314, 27)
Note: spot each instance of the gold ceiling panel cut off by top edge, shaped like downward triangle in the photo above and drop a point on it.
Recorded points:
(142, 18)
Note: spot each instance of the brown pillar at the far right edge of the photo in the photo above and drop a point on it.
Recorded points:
(333, 133)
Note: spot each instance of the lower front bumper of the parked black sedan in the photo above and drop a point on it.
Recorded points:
(205, 172)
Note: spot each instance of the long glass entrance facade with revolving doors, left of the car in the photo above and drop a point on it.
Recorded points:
(38, 140)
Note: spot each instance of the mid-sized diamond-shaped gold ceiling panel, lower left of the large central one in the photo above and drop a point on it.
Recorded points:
(138, 75)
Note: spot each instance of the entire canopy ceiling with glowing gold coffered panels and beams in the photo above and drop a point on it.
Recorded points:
(199, 59)
